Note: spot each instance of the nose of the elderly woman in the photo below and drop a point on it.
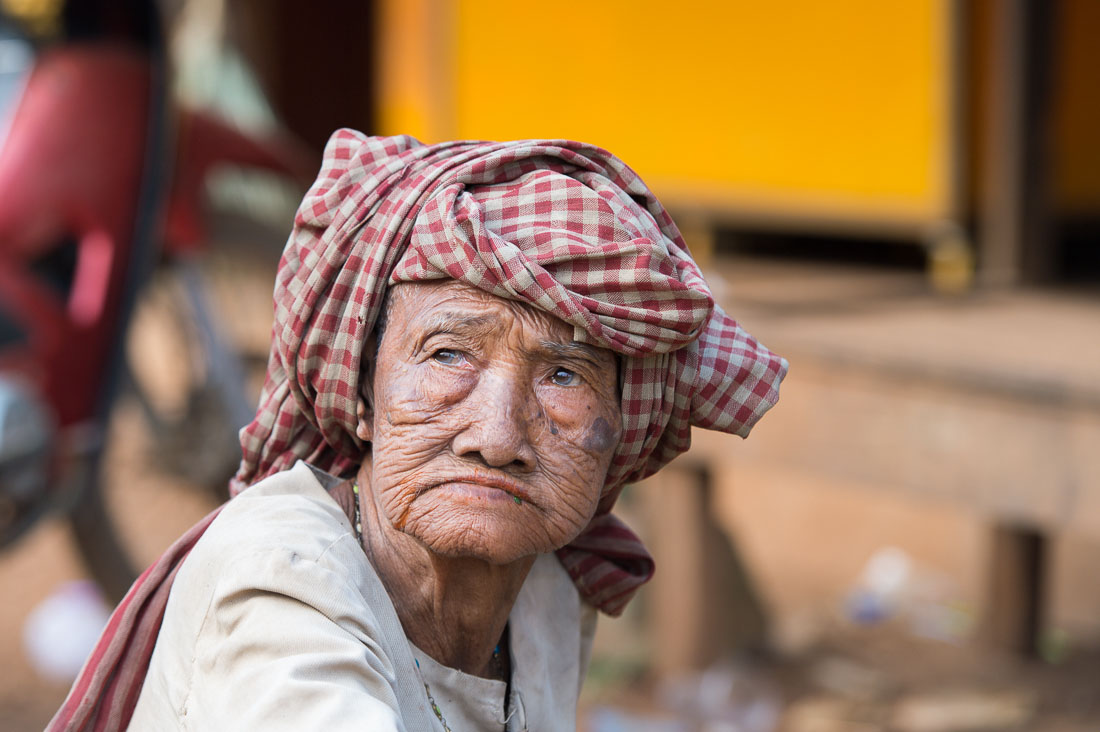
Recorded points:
(498, 429)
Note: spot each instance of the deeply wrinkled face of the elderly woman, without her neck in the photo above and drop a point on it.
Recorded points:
(492, 429)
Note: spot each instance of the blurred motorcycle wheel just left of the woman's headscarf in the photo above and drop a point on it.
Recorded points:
(170, 445)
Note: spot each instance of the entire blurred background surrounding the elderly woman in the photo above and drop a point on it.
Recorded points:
(903, 199)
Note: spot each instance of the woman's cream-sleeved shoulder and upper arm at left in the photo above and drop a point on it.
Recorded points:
(274, 619)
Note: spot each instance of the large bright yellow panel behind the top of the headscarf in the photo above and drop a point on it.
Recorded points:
(804, 106)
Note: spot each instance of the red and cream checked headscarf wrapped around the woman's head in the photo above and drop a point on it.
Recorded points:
(563, 226)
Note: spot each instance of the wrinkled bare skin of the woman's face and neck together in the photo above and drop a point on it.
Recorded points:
(492, 432)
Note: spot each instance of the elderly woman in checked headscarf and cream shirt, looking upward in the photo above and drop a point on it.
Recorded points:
(476, 347)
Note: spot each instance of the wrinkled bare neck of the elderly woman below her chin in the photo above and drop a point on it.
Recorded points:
(455, 609)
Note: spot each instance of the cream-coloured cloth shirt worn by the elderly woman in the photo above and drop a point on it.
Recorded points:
(277, 621)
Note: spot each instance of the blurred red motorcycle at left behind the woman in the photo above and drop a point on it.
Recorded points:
(101, 189)
